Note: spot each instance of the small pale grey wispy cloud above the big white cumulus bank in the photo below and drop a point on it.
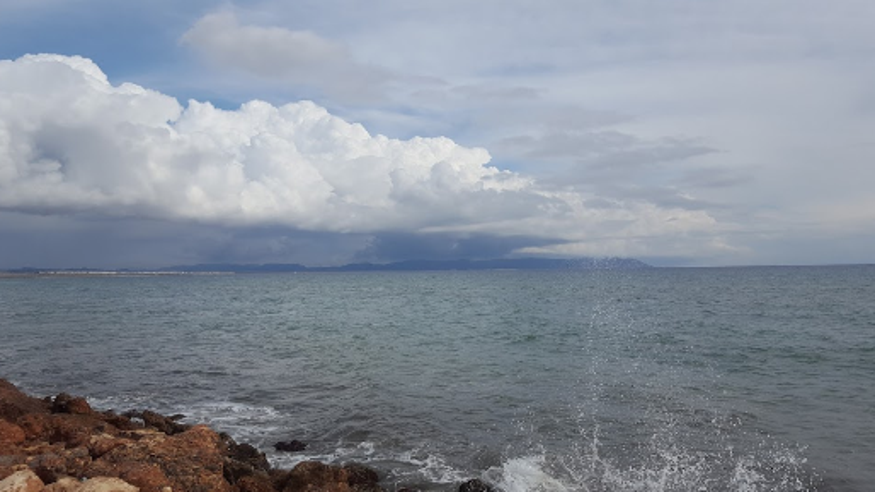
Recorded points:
(290, 56)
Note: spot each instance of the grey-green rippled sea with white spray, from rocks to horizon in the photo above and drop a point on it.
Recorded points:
(735, 379)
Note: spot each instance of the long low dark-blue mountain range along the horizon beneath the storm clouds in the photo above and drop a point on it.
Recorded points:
(410, 265)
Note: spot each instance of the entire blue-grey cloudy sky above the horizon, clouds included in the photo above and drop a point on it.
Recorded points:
(678, 132)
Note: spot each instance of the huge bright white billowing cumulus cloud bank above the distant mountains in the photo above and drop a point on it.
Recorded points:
(70, 141)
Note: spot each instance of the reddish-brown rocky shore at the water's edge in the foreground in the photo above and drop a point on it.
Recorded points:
(60, 444)
